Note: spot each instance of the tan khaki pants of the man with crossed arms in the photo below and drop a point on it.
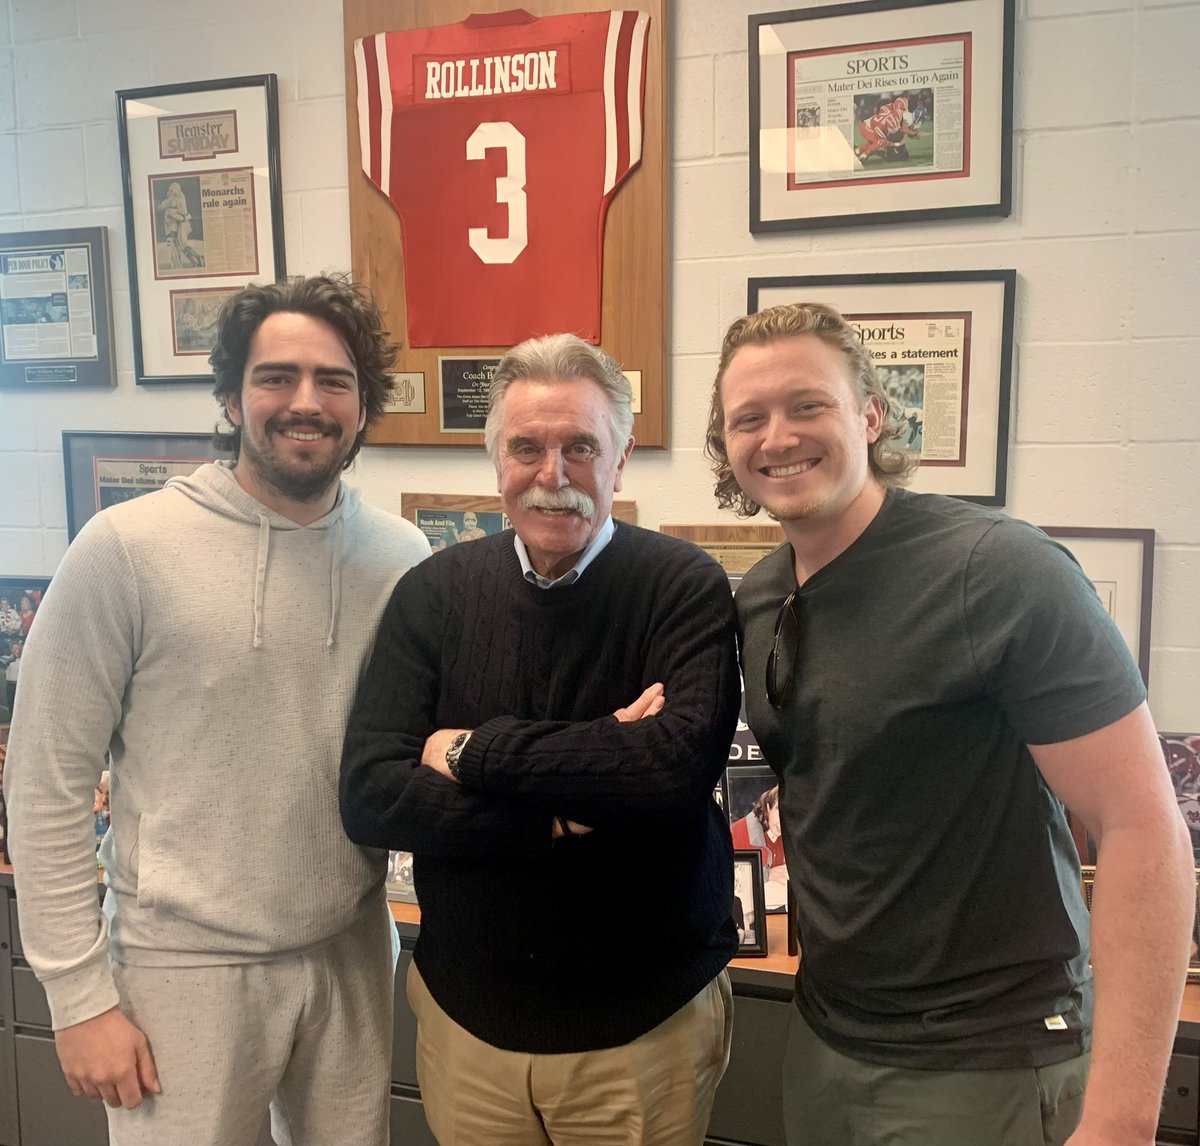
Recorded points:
(655, 1091)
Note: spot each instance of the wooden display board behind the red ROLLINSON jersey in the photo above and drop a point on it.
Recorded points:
(439, 398)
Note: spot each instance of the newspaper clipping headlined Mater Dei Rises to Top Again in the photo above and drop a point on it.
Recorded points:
(893, 110)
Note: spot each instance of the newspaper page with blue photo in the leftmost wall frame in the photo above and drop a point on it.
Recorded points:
(47, 311)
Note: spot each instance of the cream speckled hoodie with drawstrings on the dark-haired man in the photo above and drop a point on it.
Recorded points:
(213, 650)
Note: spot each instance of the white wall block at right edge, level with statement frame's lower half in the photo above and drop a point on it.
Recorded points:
(1163, 392)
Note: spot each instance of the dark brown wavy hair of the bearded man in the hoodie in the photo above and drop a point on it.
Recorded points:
(334, 299)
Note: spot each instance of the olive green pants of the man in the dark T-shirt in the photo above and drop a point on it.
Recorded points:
(831, 1100)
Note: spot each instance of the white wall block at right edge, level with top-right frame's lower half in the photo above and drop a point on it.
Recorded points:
(1163, 199)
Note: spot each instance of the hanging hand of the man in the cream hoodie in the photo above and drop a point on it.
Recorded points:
(109, 1058)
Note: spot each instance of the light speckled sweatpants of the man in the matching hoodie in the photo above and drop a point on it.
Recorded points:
(309, 1036)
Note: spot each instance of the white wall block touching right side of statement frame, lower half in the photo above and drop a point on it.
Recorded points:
(1073, 393)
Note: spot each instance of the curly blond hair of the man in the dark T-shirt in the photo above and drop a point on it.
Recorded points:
(890, 465)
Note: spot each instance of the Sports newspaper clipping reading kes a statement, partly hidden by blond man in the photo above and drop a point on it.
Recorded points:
(923, 362)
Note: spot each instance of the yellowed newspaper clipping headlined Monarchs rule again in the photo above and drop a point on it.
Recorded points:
(205, 224)
